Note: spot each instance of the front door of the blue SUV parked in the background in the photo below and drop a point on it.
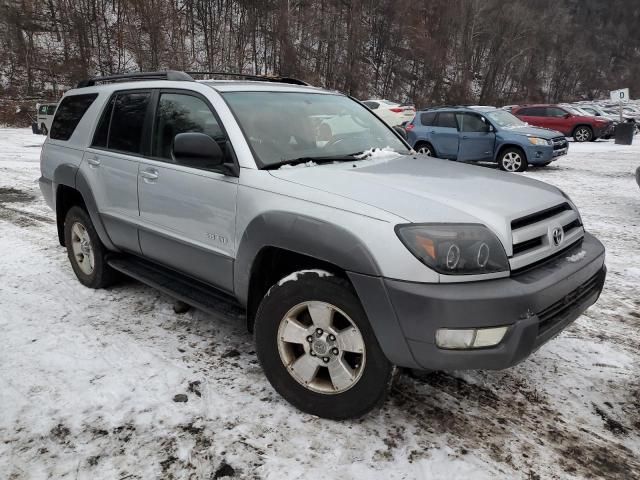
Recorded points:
(477, 138)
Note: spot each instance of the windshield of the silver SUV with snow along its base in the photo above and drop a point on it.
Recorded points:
(284, 127)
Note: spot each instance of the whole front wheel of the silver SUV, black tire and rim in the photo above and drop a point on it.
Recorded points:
(286, 335)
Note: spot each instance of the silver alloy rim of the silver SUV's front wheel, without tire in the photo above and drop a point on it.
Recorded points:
(321, 347)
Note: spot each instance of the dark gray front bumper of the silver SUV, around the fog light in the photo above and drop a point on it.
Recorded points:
(536, 304)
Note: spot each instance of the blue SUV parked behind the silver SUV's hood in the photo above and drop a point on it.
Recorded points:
(484, 134)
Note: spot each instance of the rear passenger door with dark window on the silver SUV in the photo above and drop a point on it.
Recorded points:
(111, 164)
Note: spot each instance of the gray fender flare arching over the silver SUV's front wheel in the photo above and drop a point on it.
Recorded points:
(333, 244)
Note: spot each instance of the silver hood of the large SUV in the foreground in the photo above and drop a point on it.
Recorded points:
(421, 189)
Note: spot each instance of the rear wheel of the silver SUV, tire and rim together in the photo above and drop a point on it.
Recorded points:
(84, 245)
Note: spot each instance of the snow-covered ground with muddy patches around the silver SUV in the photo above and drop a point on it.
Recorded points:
(87, 378)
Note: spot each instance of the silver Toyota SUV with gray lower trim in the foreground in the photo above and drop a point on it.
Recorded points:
(351, 254)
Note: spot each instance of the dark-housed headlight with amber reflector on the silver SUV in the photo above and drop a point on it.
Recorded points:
(455, 249)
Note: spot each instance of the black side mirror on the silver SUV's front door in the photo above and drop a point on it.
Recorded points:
(197, 150)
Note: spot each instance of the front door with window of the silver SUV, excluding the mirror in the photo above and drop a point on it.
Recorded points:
(187, 215)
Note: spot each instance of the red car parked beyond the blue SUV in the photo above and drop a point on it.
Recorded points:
(563, 119)
